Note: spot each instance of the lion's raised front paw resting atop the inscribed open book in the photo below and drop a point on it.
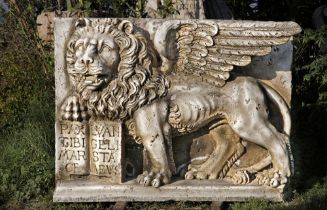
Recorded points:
(73, 109)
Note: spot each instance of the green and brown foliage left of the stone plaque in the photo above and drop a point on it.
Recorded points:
(26, 101)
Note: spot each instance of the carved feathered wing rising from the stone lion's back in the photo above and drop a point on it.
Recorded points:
(212, 48)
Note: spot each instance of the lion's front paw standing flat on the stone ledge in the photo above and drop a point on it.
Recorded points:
(153, 179)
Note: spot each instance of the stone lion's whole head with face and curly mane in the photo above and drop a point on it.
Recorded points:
(110, 65)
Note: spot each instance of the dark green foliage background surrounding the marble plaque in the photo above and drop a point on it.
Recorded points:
(27, 102)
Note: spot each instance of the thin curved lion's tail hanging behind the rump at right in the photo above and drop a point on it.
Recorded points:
(285, 112)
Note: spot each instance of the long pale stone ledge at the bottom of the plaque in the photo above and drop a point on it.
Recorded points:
(180, 190)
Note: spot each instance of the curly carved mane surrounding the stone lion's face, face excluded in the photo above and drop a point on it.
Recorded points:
(135, 85)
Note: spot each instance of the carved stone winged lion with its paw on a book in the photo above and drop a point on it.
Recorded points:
(176, 80)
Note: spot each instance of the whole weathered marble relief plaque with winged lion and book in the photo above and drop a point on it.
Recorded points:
(175, 87)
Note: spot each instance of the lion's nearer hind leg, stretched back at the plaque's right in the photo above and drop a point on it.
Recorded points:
(249, 118)
